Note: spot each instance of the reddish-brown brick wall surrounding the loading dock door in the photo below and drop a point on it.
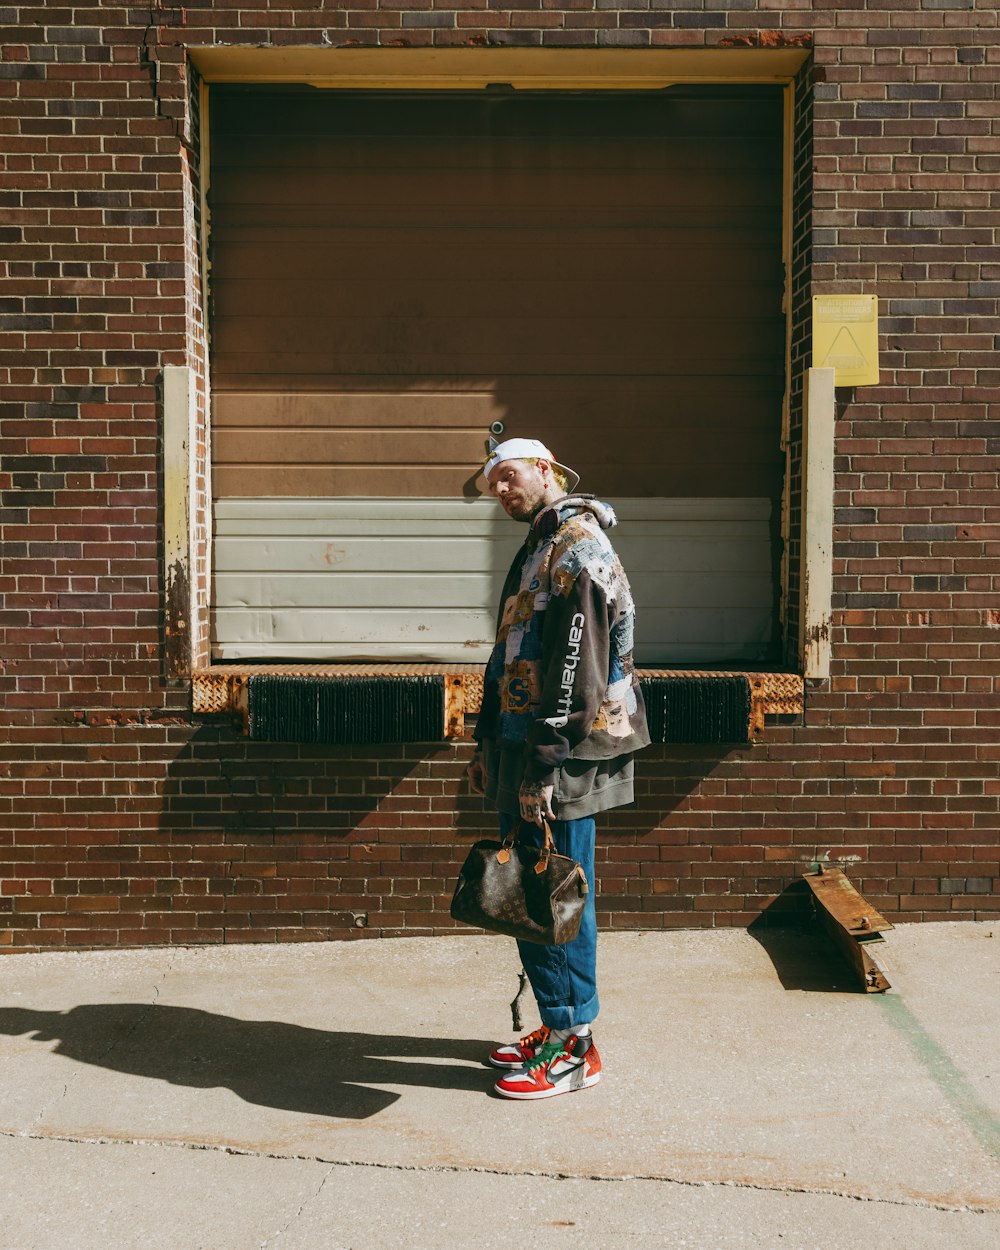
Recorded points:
(126, 822)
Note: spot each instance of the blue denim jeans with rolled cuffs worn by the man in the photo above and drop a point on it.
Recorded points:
(564, 978)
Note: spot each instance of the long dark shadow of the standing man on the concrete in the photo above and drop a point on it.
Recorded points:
(264, 1062)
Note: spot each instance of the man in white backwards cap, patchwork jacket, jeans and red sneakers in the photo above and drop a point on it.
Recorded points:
(562, 717)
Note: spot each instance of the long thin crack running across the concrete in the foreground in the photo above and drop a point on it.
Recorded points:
(479, 1169)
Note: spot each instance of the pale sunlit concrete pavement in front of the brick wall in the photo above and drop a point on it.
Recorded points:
(333, 1097)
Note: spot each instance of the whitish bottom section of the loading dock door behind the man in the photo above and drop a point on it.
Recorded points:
(419, 579)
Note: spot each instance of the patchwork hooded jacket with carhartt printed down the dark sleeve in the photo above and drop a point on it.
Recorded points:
(561, 682)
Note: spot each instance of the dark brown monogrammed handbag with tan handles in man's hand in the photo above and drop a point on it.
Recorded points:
(526, 892)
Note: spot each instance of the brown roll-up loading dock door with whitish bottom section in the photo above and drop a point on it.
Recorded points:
(393, 274)
